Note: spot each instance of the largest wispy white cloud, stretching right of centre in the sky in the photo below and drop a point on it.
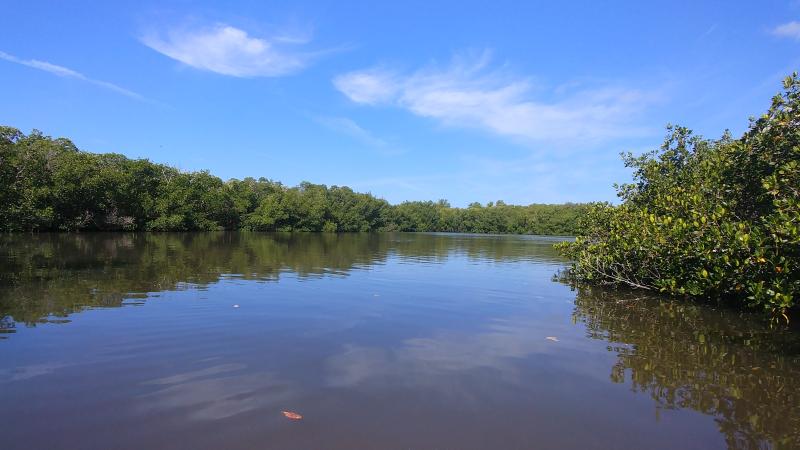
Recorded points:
(469, 93)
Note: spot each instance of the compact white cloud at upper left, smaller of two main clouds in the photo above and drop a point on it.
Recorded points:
(230, 51)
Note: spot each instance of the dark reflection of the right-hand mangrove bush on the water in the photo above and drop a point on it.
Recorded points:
(717, 361)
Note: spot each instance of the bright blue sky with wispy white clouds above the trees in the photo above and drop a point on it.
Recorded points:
(468, 101)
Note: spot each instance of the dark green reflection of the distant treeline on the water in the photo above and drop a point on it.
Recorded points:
(52, 275)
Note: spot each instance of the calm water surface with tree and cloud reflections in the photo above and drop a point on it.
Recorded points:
(199, 341)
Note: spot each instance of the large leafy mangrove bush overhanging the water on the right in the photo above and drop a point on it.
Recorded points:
(706, 219)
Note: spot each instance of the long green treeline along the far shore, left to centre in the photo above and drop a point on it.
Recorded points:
(49, 184)
